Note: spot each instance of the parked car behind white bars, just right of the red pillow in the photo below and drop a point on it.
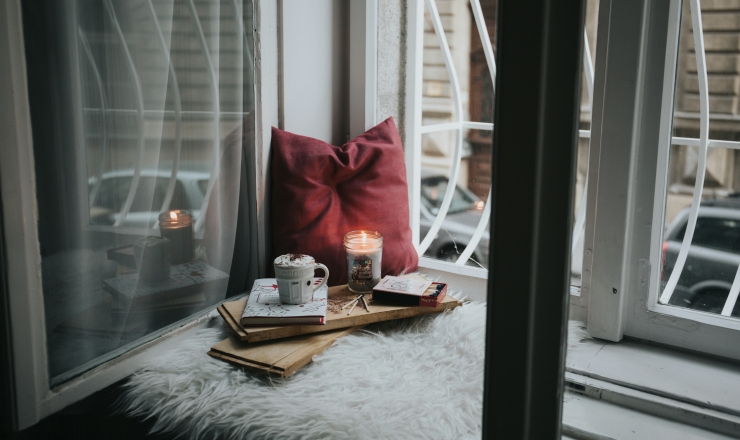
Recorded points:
(458, 227)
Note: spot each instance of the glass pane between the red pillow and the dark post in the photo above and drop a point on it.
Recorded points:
(474, 87)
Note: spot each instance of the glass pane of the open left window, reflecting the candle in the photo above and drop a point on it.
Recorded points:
(139, 108)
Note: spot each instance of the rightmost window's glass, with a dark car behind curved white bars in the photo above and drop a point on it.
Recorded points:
(703, 279)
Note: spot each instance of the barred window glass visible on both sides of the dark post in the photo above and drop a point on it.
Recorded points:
(457, 122)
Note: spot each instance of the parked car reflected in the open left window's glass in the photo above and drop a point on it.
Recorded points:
(190, 189)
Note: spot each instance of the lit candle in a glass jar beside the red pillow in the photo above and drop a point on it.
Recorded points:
(364, 255)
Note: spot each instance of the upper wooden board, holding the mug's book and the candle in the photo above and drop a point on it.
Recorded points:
(335, 317)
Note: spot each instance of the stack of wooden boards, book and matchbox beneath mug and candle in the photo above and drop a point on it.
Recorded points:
(279, 339)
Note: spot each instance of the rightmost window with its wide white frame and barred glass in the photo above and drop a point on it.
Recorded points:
(661, 249)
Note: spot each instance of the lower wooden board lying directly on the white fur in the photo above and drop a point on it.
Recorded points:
(282, 357)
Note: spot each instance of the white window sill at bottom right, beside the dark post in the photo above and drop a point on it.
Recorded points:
(650, 381)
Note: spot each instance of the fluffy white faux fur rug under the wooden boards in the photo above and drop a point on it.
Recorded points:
(417, 378)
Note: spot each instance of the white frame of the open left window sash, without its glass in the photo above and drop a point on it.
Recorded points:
(33, 398)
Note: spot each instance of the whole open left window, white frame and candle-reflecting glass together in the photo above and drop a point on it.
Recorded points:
(136, 109)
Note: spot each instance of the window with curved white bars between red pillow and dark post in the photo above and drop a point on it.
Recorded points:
(452, 131)
